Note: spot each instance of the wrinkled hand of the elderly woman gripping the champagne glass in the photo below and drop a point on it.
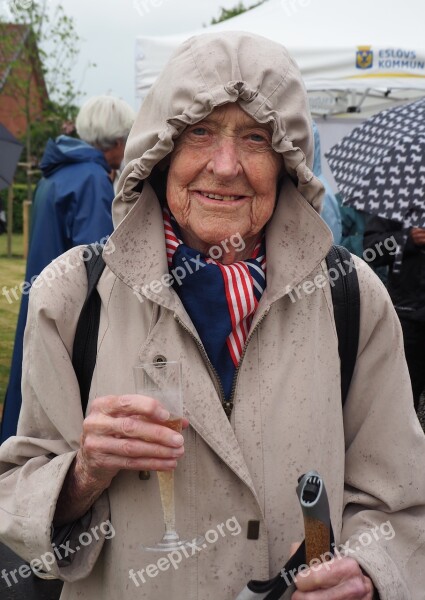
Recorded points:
(119, 432)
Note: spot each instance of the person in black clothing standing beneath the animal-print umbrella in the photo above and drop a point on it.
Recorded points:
(406, 286)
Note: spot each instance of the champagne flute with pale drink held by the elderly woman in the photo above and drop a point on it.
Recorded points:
(162, 380)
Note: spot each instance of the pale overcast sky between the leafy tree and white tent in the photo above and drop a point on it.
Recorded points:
(109, 29)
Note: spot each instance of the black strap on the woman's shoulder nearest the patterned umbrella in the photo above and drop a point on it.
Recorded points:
(346, 302)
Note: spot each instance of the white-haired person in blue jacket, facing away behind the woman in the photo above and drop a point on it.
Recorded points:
(71, 206)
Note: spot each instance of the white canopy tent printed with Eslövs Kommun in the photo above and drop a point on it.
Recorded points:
(356, 58)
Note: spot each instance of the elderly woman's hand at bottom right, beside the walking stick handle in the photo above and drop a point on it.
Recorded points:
(338, 579)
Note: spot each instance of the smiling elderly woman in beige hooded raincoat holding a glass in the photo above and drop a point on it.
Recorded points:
(218, 180)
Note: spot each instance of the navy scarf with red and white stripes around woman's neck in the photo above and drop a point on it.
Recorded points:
(220, 299)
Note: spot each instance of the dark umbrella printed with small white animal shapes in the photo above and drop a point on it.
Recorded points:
(380, 166)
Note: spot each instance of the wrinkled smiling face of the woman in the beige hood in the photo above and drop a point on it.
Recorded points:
(222, 180)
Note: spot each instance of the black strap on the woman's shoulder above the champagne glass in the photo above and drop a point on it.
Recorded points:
(85, 342)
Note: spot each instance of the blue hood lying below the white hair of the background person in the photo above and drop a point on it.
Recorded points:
(66, 150)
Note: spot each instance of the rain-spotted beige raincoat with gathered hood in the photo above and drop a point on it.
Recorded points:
(287, 416)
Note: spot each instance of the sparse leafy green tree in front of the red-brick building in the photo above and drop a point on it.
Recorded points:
(52, 49)
